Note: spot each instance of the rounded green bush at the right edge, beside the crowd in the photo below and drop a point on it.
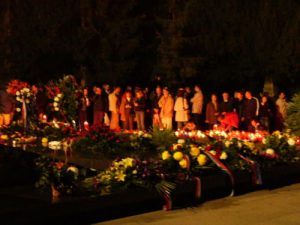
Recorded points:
(293, 114)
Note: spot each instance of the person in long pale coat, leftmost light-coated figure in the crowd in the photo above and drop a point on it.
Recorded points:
(114, 108)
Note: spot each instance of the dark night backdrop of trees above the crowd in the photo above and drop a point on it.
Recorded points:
(223, 45)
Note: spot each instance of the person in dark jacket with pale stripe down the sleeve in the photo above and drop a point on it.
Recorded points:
(251, 109)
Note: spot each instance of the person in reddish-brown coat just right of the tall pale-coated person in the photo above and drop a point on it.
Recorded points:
(212, 112)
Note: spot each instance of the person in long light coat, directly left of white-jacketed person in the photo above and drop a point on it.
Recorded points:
(166, 104)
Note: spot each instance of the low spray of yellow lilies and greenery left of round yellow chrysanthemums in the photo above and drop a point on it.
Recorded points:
(128, 173)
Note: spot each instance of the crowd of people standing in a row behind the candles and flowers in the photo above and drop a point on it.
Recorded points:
(140, 109)
